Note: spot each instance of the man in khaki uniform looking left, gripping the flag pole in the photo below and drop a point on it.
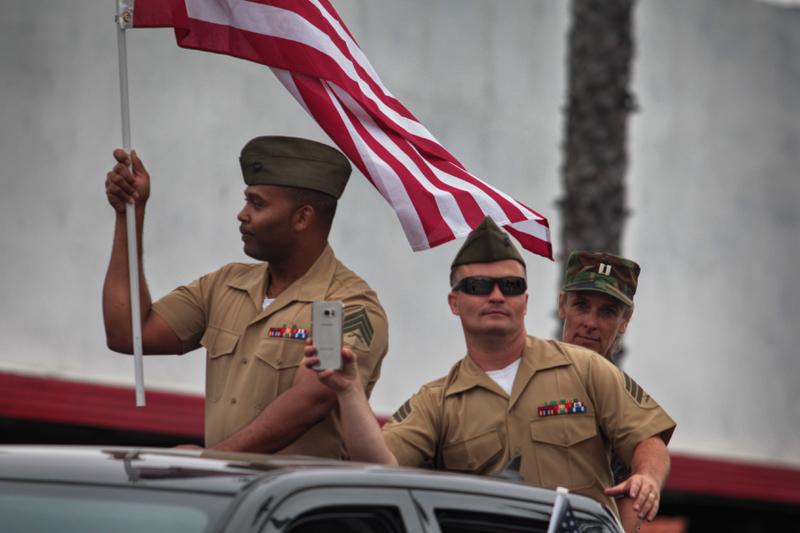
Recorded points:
(254, 319)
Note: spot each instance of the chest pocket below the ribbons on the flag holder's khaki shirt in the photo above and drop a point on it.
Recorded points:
(276, 362)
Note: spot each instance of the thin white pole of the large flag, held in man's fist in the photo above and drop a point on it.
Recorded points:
(124, 20)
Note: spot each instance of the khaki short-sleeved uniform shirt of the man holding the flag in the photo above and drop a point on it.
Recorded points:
(253, 354)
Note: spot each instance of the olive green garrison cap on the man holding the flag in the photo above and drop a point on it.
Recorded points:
(294, 162)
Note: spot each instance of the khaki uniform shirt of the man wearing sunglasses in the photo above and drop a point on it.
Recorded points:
(466, 422)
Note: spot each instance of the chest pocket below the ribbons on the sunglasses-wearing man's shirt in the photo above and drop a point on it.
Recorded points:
(567, 451)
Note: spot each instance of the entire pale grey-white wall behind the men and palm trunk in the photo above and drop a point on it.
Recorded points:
(714, 187)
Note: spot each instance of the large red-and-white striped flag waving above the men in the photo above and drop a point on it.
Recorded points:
(313, 54)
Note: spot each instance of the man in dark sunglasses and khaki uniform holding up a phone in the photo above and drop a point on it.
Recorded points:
(559, 407)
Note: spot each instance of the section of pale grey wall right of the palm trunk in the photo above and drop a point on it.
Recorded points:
(715, 186)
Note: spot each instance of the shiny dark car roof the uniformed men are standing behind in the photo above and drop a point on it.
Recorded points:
(195, 470)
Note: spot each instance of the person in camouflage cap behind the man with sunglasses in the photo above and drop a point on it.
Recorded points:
(596, 305)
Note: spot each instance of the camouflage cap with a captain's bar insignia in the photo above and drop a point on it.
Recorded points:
(602, 272)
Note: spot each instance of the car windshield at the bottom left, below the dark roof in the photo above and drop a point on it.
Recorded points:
(68, 508)
